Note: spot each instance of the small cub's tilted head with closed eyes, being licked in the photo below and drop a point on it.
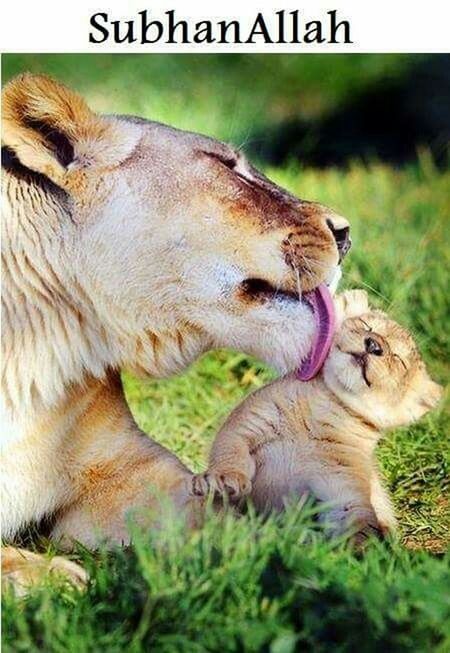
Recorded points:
(374, 365)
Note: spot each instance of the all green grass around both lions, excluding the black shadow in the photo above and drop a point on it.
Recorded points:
(276, 586)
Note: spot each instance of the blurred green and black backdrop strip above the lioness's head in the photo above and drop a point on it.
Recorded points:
(320, 109)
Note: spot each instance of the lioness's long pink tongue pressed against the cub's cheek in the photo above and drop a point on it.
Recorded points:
(322, 307)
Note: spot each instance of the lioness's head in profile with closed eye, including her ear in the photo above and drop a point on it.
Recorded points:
(174, 240)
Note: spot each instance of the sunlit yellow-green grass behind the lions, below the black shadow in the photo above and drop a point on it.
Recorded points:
(400, 255)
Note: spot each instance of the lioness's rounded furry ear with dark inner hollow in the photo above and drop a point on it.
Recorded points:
(51, 129)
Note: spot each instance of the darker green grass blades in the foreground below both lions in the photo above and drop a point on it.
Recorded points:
(242, 585)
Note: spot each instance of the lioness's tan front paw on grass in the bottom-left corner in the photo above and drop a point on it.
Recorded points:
(23, 569)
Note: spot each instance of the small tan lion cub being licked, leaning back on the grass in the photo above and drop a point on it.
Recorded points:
(293, 437)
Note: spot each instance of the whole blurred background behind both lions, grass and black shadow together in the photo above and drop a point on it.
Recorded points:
(365, 134)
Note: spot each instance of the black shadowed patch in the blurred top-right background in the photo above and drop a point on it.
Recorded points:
(388, 121)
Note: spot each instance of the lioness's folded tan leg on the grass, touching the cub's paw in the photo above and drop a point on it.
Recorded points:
(139, 479)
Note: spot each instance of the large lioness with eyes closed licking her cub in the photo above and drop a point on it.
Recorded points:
(129, 244)
